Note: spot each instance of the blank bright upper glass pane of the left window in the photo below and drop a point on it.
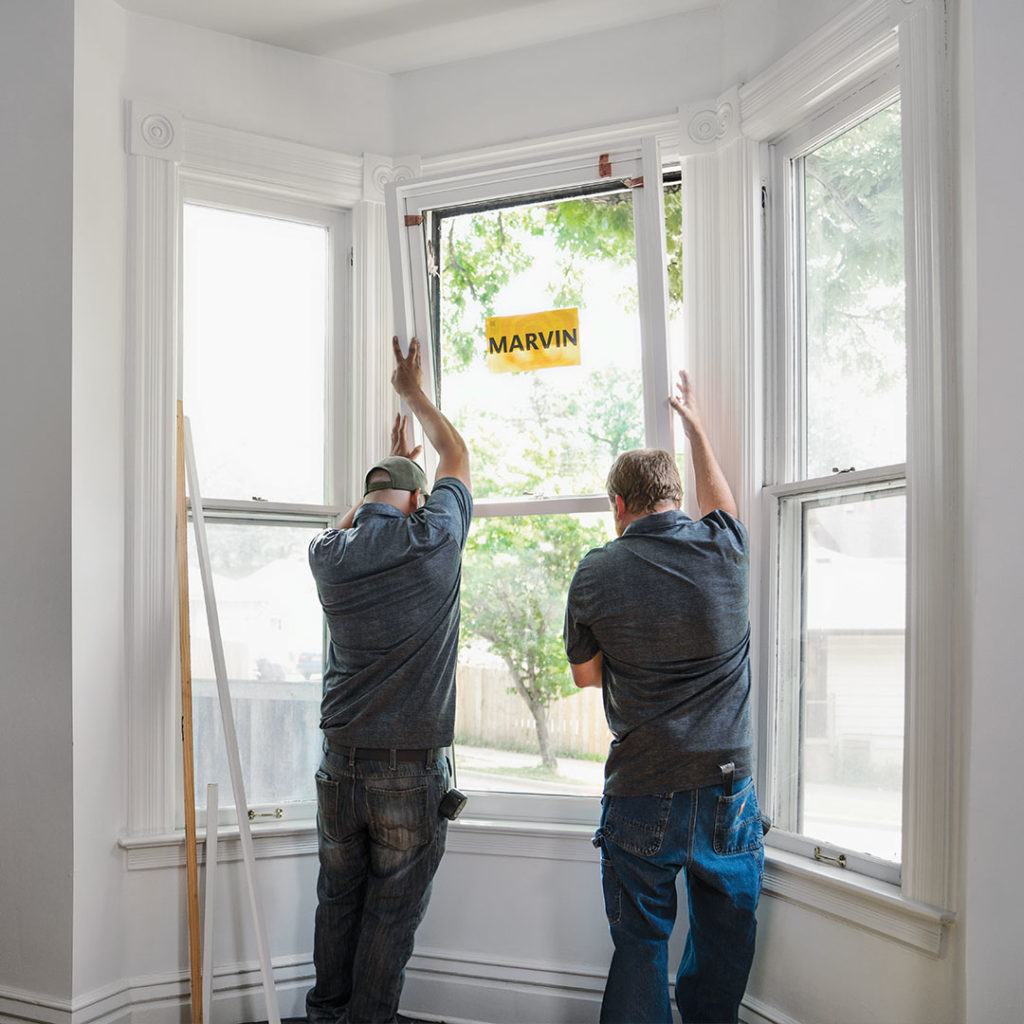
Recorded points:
(255, 321)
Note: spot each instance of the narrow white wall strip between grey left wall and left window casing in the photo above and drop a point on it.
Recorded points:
(98, 490)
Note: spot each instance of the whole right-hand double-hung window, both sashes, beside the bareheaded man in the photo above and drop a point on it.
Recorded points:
(837, 461)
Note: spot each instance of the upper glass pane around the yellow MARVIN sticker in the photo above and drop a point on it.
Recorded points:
(554, 431)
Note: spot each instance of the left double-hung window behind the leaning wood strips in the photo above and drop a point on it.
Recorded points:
(264, 309)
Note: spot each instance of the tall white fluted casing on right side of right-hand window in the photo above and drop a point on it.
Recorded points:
(937, 585)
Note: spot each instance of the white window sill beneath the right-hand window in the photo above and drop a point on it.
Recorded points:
(869, 904)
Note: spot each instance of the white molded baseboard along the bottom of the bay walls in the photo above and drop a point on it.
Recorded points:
(441, 986)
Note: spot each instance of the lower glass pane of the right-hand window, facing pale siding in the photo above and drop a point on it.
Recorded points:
(851, 705)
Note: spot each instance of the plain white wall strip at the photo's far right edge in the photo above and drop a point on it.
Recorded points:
(994, 210)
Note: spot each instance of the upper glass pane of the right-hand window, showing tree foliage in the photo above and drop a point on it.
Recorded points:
(856, 309)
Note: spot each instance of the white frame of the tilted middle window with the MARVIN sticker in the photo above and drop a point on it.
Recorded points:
(564, 168)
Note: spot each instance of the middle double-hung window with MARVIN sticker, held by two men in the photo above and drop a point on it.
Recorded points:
(583, 237)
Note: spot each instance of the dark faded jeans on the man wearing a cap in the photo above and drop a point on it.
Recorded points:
(381, 839)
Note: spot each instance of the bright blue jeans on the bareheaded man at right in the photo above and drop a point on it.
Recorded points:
(718, 843)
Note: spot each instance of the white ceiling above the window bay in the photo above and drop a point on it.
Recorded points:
(396, 36)
